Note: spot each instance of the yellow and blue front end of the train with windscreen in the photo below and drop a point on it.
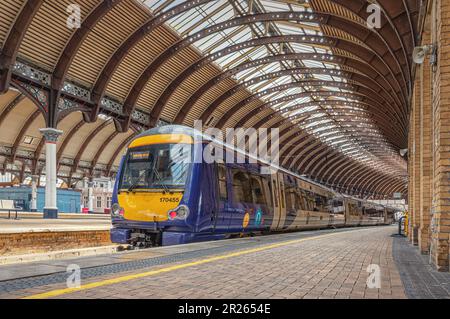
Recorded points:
(153, 189)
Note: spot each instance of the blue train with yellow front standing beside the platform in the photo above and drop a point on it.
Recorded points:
(166, 193)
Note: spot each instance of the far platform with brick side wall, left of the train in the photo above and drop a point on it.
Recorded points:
(31, 238)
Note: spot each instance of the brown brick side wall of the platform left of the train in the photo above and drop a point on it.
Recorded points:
(38, 242)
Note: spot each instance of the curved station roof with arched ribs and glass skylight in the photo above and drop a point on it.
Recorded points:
(338, 90)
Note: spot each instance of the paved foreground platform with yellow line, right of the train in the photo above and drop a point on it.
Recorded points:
(351, 263)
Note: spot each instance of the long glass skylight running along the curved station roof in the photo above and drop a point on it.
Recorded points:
(340, 120)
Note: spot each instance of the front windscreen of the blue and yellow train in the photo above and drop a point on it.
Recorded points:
(156, 166)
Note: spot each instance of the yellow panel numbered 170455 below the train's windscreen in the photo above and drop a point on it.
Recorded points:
(148, 206)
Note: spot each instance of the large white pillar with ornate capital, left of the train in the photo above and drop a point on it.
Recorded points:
(51, 137)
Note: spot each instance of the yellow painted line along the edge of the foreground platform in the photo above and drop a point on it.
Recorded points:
(59, 292)
